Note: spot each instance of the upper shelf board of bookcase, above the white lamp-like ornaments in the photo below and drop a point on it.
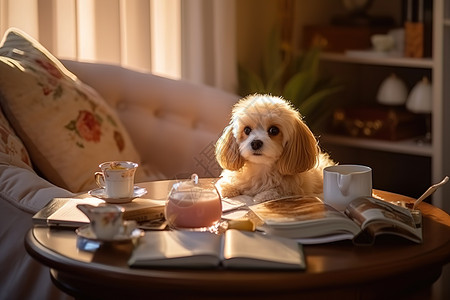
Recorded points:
(361, 57)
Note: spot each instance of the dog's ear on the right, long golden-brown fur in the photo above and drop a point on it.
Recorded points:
(301, 151)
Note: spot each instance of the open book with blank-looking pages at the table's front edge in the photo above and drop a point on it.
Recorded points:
(233, 249)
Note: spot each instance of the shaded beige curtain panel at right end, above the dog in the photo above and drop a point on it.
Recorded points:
(209, 42)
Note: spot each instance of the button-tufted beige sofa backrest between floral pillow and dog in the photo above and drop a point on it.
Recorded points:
(173, 123)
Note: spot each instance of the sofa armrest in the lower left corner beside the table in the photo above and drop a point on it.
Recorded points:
(23, 193)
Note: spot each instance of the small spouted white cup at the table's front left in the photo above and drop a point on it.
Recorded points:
(106, 220)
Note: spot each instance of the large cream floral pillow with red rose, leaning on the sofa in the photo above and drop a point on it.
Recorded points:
(66, 126)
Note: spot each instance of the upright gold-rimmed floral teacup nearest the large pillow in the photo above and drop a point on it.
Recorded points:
(117, 178)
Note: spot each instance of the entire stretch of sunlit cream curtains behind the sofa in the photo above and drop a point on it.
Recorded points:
(189, 39)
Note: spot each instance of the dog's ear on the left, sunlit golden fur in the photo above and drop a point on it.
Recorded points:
(227, 151)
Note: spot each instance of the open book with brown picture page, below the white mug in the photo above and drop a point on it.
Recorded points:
(310, 221)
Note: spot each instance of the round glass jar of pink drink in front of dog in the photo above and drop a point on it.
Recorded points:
(185, 209)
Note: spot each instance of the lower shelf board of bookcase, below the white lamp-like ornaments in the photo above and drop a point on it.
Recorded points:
(409, 146)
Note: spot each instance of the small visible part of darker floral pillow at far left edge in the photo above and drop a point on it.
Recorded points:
(12, 150)
